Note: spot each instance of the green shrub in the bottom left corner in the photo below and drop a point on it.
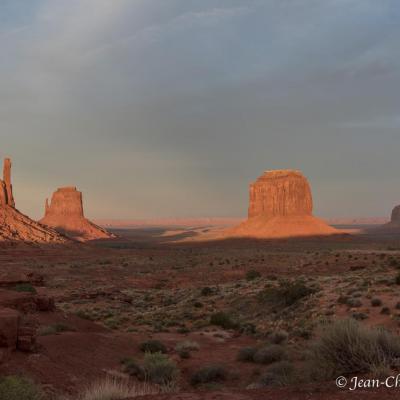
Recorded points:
(17, 388)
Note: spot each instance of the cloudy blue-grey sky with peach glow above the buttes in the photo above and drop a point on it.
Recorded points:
(170, 108)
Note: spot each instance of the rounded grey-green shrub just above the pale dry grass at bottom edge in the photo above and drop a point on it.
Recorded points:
(159, 369)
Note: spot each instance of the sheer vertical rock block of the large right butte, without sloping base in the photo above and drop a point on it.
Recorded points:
(280, 193)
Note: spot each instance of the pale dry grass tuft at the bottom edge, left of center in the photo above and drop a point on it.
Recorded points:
(113, 389)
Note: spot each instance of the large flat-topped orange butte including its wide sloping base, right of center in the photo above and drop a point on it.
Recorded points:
(281, 206)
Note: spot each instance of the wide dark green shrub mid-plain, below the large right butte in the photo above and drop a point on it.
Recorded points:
(286, 294)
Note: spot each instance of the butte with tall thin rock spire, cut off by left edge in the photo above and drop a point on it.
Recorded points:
(15, 226)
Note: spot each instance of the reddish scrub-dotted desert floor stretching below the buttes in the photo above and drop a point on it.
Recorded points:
(83, 312)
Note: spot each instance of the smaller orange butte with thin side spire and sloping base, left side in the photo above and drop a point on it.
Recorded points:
(65, 214)
